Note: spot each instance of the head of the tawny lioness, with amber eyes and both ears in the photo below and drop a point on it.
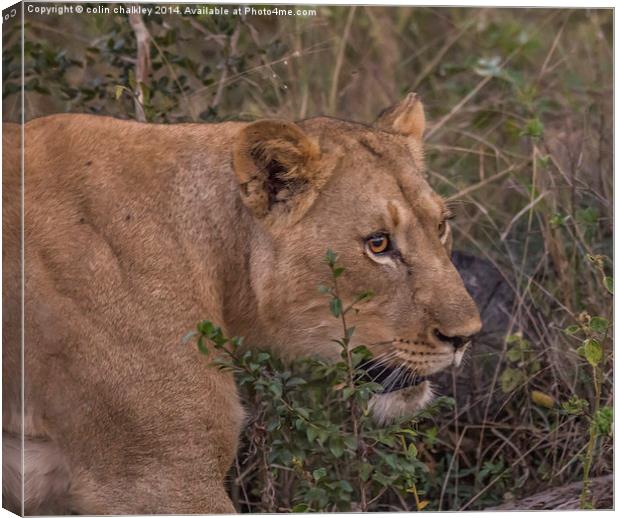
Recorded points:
(359, 190)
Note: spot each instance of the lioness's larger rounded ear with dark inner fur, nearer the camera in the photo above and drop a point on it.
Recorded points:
(276, 166)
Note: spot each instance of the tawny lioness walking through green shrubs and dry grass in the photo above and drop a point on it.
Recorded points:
(134, 232)
